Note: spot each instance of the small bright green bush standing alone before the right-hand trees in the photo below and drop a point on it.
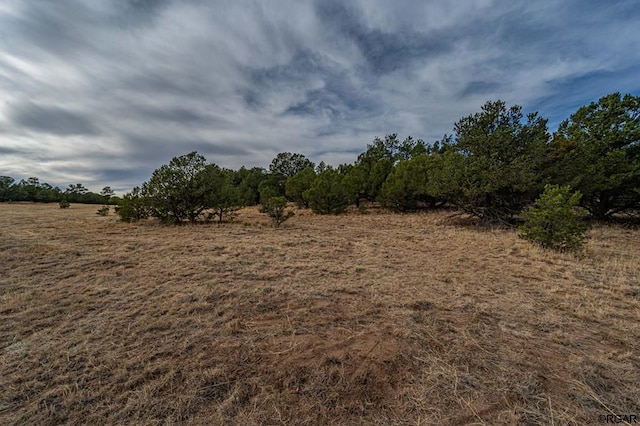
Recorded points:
(553, 222)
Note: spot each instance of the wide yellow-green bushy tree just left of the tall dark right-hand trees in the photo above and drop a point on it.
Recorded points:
(406, 186)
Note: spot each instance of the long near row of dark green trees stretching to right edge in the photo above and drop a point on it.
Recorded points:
(496, 163)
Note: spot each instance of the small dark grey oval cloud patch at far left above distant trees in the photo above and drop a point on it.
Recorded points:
(51, 119)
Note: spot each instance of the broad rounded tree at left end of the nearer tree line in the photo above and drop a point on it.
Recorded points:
(174, 191)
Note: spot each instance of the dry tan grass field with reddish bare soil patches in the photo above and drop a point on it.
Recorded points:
(354, 319)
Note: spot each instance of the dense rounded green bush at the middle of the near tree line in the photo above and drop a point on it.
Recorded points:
(328, 194)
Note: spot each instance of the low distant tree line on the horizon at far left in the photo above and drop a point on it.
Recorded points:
(33, 190)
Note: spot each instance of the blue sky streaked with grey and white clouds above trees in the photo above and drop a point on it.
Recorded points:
(103, 92)
